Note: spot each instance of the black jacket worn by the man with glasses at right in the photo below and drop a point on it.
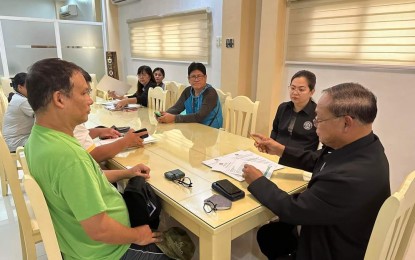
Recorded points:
(338, 209)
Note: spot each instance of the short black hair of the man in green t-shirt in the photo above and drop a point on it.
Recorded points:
(46, 77)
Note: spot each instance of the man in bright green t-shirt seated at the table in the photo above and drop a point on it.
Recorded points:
(89, 215)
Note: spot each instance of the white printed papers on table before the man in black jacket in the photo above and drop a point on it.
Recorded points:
(232, 164)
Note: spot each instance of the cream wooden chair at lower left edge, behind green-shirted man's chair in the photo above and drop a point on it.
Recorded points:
(29, 229)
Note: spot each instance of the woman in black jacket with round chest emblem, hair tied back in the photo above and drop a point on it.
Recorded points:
(293, 122)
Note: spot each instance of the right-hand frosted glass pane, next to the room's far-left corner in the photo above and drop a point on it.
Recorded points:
(82, 44)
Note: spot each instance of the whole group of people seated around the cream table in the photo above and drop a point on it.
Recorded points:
(337, 211)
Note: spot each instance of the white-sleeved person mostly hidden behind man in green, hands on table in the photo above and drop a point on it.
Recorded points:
(106, 151)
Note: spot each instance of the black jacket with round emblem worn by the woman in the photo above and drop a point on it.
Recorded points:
(304, 133)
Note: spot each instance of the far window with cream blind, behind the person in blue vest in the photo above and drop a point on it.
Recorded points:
(183, 37)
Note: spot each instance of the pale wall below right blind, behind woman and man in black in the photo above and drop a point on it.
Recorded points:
(394, 124)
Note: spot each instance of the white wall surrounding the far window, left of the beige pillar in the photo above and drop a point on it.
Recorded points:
(174, 70)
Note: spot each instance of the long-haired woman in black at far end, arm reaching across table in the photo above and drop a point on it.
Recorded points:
(145, 81)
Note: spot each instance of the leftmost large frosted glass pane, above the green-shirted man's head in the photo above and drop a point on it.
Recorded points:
(27, 42)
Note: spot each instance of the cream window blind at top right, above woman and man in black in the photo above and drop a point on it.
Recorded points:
(350, 31)
